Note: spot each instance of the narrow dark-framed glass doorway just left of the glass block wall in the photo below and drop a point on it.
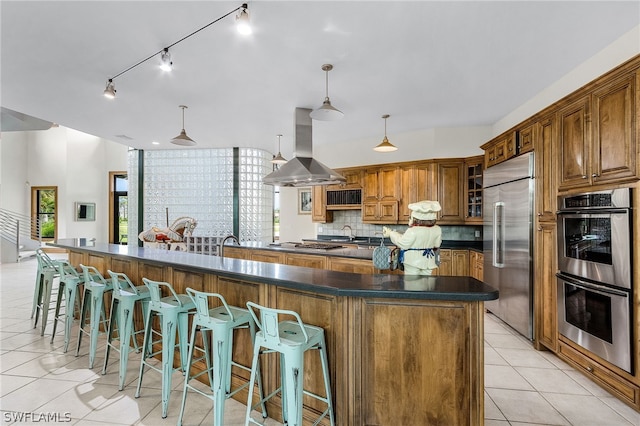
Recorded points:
(118, 207)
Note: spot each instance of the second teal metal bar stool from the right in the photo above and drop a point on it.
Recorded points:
(220, 323)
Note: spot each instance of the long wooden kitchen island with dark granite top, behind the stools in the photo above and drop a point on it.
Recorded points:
(402, 350)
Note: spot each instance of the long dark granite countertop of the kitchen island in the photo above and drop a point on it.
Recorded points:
(309, 279)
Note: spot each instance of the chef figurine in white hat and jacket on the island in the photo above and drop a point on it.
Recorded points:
(419, 244)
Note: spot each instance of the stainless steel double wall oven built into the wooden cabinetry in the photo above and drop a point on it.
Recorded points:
(595, 273)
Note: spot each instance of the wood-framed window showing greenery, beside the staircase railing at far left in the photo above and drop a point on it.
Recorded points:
(44, 207)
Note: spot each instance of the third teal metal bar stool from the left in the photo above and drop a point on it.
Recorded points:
(95, 287)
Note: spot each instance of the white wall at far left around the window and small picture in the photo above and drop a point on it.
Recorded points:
(77, 163)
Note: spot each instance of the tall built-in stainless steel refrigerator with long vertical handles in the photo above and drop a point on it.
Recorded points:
(508, 240)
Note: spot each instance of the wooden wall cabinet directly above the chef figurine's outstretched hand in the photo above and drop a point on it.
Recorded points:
(381, 192)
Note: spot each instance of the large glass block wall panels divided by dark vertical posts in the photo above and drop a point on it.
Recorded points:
(199, 183)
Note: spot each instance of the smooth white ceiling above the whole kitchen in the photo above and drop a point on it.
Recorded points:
(427, 64)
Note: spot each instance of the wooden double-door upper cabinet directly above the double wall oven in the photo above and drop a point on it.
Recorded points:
(597, 135)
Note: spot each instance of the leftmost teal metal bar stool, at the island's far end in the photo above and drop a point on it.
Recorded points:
(47, 272)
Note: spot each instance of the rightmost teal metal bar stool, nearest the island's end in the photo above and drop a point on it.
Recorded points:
(290, 339)
